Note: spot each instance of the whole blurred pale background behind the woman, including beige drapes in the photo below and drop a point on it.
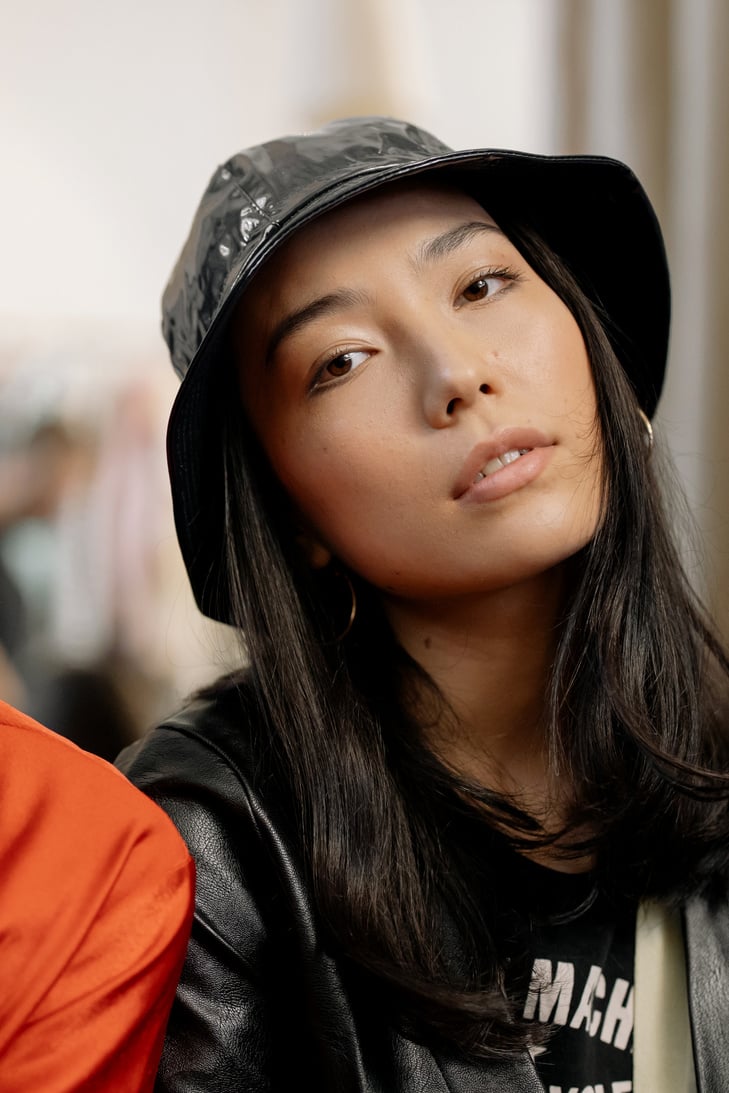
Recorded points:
(112, 121)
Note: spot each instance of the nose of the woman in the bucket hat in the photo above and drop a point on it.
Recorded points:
(455, 379)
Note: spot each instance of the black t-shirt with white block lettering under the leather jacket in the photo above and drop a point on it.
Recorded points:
(582, 950)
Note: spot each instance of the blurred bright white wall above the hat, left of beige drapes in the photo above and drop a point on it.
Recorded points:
(113, 116)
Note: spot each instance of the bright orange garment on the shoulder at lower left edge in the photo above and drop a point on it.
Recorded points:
(97, 892)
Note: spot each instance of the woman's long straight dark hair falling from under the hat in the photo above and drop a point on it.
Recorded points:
(634, 718)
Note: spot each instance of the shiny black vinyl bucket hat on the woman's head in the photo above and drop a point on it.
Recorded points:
(591, 210)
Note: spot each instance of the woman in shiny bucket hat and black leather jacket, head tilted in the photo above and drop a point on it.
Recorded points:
(484, 720)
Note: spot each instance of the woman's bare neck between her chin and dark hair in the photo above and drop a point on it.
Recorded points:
(490, 657)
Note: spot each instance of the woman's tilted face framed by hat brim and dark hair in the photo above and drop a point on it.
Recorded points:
(424, 396)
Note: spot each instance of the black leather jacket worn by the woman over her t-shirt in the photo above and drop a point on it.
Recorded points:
(263, 1006)
